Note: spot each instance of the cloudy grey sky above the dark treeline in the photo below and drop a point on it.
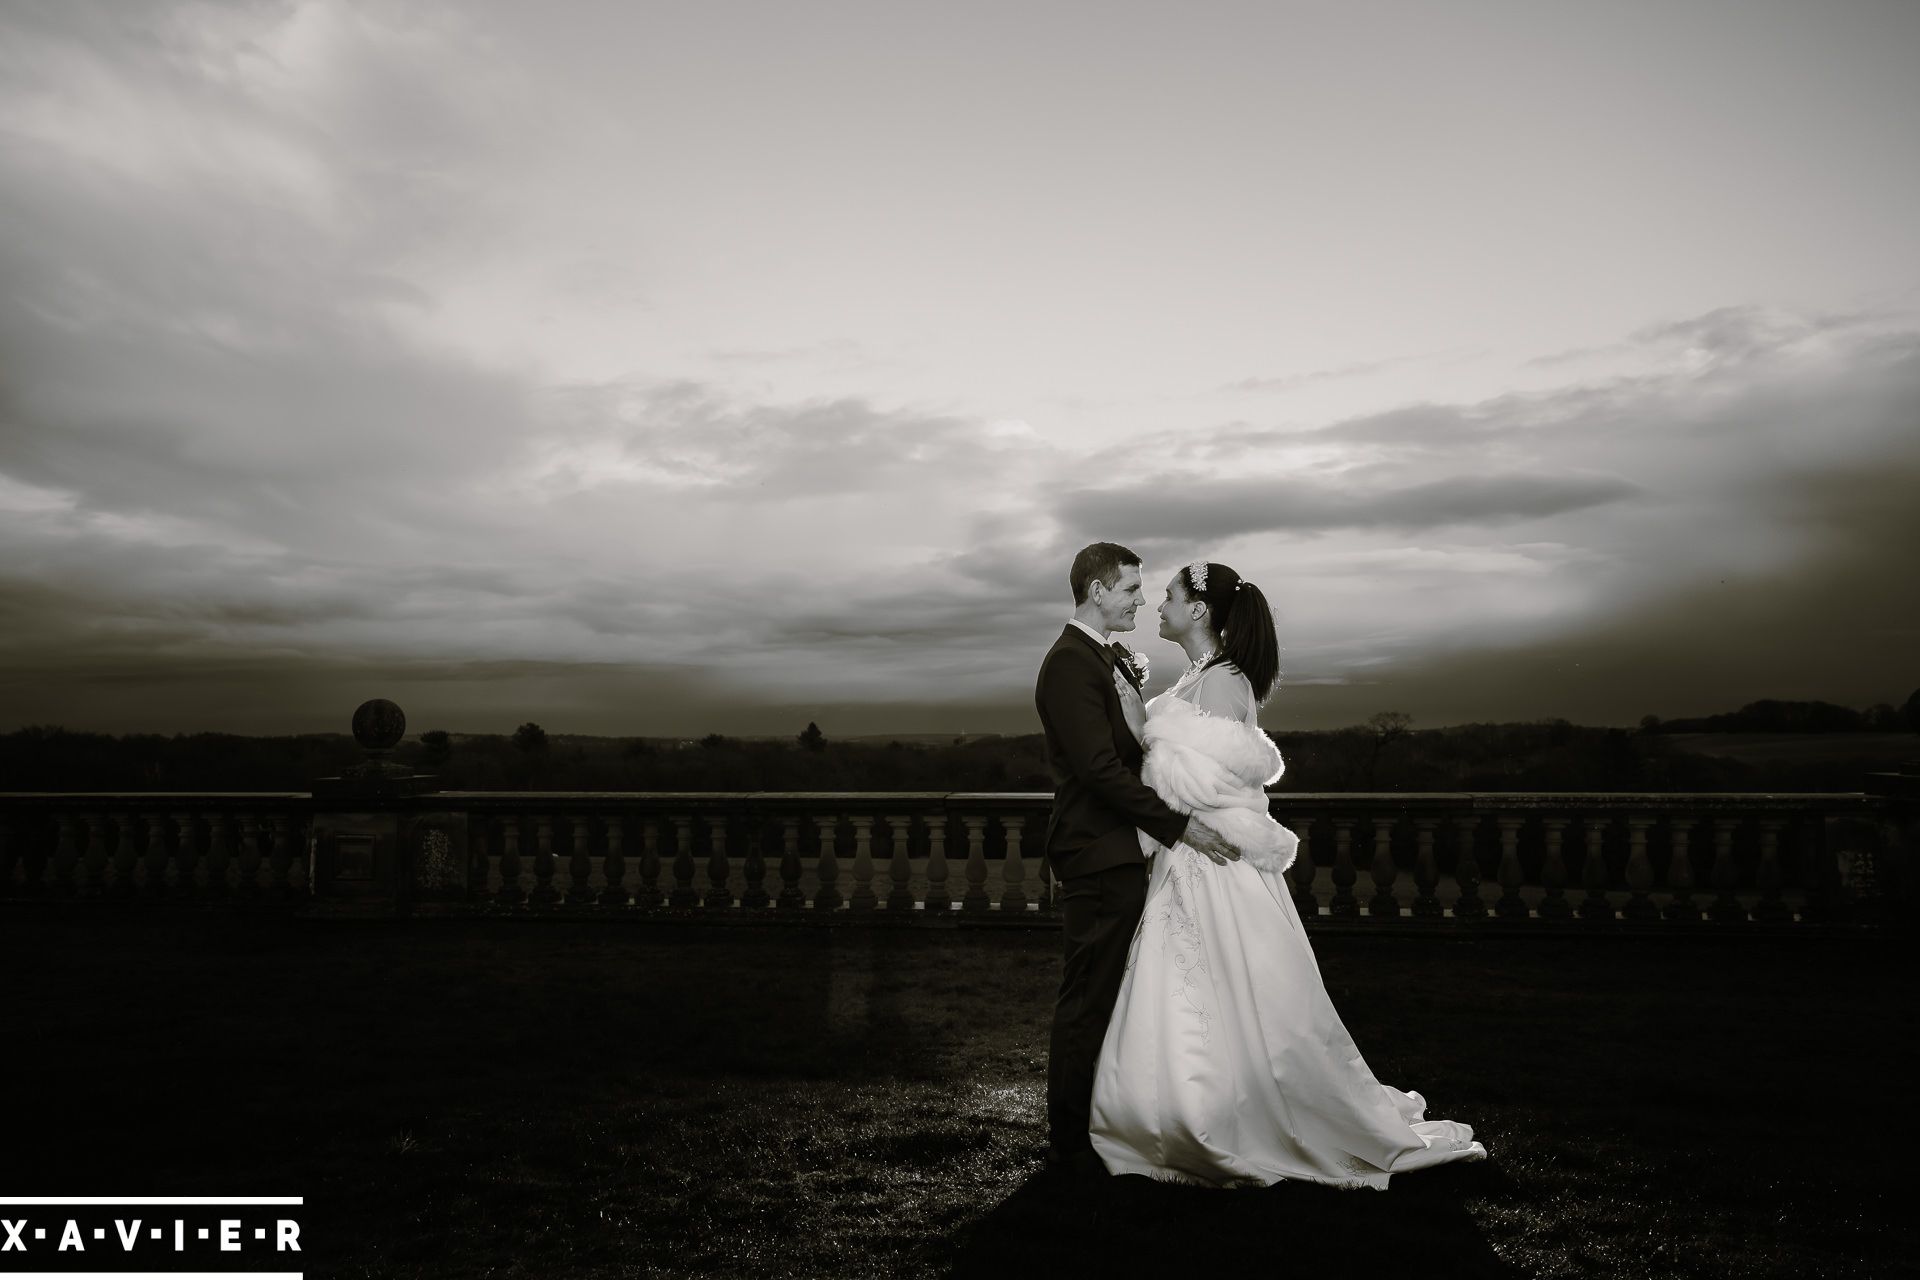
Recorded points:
(683, 367)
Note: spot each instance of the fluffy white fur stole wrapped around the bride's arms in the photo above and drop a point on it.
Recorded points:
(1216, 769)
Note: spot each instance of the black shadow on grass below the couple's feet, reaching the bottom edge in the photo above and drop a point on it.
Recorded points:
(1132, 1225)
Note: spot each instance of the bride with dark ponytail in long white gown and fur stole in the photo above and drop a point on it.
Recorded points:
(1226, 1062)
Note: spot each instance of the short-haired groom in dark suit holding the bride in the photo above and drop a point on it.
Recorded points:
(1092, 843)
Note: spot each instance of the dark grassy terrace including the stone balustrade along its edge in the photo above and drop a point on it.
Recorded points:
(608, 1035)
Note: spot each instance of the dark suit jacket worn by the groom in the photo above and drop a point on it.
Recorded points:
(1099, 797)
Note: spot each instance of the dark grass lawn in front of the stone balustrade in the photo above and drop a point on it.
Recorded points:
(610, 1099)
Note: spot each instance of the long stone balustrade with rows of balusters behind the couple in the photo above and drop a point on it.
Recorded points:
(1483, 861)
